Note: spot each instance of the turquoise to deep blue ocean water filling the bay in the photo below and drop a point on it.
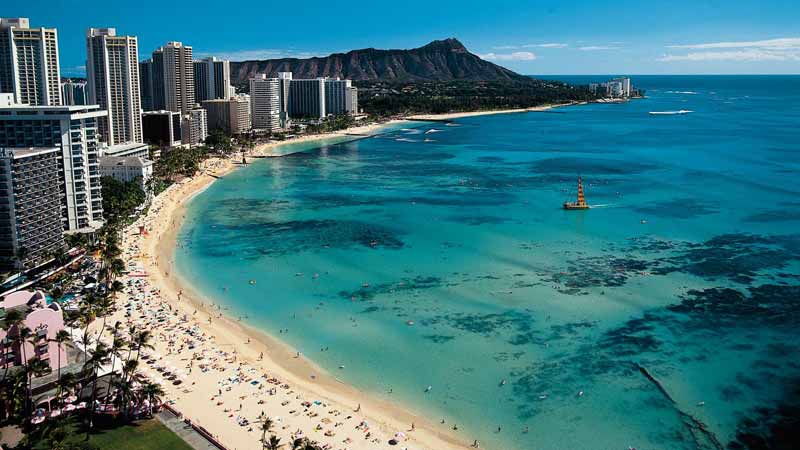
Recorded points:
(665, 317)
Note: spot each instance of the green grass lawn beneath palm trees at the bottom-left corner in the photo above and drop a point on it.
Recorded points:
(141, 435)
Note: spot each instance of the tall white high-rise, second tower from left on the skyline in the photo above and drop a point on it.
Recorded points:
(112, 71)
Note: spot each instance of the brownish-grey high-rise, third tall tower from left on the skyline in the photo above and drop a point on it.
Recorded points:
(173, 78)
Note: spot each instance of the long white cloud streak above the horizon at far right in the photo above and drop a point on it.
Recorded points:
(782, 49)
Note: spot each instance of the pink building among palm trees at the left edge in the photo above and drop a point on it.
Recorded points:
(44, 320)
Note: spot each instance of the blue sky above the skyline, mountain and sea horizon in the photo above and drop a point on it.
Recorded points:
(530, 37)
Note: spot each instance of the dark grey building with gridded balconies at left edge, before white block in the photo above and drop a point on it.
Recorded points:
(31, 188)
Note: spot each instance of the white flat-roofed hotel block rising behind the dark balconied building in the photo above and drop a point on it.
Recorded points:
(74, 131)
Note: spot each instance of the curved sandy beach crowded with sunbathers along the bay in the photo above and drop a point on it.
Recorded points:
(231, 373)
